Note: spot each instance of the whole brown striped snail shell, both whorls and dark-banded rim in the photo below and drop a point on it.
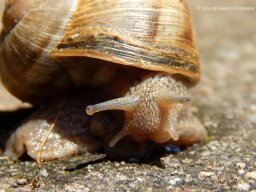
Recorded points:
(38, 35)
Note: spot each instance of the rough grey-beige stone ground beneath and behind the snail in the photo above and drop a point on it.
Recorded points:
(225, 101)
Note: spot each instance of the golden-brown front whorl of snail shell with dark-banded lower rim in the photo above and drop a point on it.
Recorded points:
(150, 34)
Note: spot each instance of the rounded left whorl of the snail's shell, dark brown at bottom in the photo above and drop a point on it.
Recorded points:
(27, 68)
